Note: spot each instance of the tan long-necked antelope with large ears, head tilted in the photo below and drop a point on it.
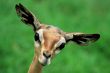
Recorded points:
(51, 36)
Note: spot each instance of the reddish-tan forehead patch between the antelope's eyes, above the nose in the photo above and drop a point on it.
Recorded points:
(51, 37)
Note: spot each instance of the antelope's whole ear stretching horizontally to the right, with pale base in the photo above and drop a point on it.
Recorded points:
(81, 38)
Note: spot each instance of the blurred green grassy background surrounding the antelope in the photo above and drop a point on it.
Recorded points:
(89, 16)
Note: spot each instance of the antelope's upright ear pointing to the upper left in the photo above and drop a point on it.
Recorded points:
(27, 16)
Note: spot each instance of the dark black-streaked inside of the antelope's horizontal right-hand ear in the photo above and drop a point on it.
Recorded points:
(85, 39)
